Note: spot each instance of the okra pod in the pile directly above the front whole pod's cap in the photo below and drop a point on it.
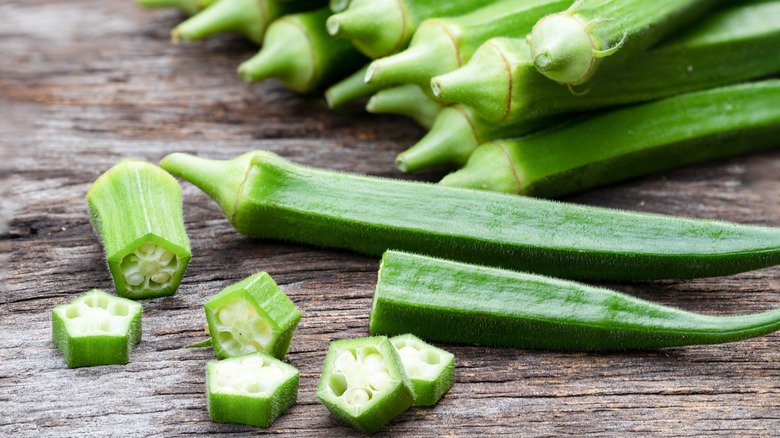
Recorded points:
(301, 54)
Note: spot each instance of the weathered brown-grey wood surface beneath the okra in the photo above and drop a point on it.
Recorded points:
(84, 83)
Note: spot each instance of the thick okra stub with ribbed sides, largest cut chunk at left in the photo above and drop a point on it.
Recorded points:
(135, 210)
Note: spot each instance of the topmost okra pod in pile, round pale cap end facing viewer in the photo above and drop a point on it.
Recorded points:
(570, 46)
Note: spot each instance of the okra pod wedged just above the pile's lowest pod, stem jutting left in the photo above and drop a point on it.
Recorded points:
(457, 131)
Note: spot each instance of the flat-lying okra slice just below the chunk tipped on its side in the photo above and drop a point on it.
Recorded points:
(252, 389)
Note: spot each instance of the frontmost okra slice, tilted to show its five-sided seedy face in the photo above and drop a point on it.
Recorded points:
(363, 383)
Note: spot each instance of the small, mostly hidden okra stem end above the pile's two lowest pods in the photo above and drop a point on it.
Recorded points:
(407, 100)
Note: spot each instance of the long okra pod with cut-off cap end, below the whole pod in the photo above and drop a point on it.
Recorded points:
(442, 300)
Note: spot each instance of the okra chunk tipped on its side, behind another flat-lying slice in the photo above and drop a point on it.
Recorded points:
(252, 315)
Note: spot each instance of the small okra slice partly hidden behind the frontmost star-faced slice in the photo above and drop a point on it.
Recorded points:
(430, 369)
